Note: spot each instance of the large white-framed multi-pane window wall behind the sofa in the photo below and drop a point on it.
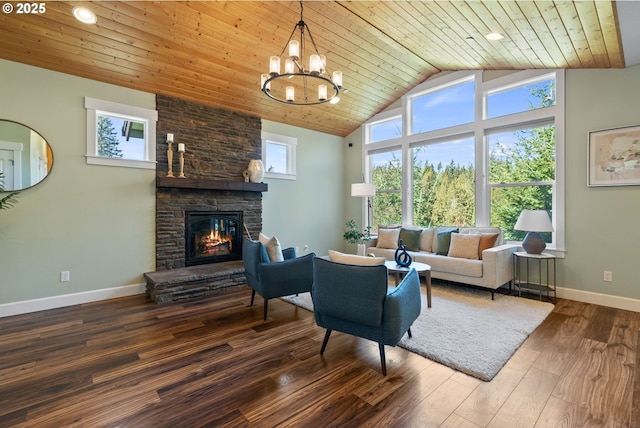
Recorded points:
(480, 152)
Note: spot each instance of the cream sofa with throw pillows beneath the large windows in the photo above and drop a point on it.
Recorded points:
(455, 260)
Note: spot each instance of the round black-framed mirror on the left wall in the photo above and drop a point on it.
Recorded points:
(25, 156)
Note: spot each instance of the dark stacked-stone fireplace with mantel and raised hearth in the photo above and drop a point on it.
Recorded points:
(219, 145)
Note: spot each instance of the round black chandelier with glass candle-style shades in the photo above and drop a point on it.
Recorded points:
(311, 84)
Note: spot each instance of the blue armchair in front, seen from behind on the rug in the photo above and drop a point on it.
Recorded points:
(356, 300)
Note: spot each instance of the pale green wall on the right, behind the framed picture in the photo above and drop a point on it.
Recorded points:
(602, 223)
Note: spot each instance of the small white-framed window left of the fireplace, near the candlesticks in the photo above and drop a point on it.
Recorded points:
(120, 135)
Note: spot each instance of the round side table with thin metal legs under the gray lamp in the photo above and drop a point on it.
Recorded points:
(525, 278)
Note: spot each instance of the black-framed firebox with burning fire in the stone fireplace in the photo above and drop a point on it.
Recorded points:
(212, 236)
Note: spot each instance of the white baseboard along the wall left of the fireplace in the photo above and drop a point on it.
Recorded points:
(35, 305)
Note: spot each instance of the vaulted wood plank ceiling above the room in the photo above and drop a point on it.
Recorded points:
(214, 52)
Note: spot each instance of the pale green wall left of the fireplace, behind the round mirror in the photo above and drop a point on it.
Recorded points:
(96, 222)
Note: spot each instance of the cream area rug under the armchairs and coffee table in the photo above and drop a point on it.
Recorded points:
(466, 330)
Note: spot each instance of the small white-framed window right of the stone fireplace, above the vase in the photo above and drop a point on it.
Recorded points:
(279, 156)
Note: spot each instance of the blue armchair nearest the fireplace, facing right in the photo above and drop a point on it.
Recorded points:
(292, 276)
